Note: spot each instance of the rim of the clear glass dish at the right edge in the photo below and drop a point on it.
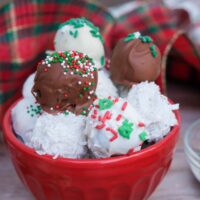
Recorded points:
(187, 135)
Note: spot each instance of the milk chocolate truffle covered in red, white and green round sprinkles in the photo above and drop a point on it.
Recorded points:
(65, 81)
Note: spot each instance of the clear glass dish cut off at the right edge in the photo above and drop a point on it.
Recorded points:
(192, 148)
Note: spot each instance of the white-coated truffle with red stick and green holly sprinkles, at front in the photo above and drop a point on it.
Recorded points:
(114, 128)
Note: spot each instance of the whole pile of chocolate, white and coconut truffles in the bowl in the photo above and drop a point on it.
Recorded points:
(73, 107)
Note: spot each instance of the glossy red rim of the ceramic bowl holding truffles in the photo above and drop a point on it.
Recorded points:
(11, 138)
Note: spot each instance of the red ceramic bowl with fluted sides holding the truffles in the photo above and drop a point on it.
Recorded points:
(131, 177)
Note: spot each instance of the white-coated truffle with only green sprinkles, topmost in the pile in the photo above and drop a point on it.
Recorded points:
(81, 35)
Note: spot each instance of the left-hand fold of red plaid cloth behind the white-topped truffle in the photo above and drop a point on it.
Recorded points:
(27, 29)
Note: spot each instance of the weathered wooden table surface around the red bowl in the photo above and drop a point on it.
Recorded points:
(179, 183)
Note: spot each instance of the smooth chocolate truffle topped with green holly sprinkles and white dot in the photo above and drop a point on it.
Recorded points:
(135, 59)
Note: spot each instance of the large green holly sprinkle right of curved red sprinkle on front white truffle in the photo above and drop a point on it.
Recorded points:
(125, 129)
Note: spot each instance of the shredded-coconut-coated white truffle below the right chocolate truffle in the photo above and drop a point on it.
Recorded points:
(154, 107)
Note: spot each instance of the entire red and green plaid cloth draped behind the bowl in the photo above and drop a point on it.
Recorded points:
(27, 29)
